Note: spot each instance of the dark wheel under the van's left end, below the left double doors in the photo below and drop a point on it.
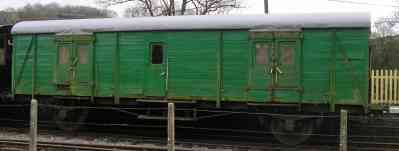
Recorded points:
(70, 119)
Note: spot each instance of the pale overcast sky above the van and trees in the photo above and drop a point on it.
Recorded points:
(377, 8)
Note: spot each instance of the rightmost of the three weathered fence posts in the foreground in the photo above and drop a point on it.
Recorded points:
(343, 141)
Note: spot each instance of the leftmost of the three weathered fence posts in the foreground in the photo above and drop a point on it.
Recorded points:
(33, 126)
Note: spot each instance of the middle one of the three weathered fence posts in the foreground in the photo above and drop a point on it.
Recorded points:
(171, 127)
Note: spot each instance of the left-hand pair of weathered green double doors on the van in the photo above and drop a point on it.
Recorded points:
(74, 76)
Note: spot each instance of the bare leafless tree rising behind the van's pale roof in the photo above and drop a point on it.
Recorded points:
(174, 7)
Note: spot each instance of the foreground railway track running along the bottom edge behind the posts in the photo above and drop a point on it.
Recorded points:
(22, 145)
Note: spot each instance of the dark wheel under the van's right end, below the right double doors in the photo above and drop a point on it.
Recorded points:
(291, 131)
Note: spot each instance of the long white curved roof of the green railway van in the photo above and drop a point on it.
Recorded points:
(211, 22)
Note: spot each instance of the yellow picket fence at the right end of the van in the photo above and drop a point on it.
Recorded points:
(385, 87)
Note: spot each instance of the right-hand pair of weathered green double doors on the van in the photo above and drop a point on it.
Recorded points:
(276, 80)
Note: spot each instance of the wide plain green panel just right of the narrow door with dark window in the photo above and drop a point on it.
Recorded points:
(192, 59)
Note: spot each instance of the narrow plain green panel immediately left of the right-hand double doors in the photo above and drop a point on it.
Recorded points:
(235, 63)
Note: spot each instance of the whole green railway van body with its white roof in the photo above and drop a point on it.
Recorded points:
(260, 59)
